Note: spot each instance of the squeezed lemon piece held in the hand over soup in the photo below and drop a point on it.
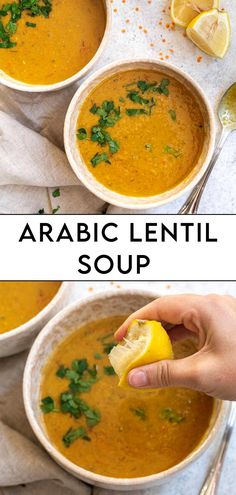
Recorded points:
(145, 343)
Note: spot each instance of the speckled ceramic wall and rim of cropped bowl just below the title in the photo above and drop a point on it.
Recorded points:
(22, 337)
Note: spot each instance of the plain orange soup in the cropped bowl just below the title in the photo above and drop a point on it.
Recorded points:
(20, 301)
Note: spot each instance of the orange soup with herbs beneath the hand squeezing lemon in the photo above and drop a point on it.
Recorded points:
(110, 430)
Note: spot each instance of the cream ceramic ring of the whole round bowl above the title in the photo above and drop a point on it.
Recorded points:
(76, 160)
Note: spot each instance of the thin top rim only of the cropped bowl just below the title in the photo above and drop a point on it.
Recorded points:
(28, 325)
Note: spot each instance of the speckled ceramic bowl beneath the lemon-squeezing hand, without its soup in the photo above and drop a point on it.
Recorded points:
(86, 310)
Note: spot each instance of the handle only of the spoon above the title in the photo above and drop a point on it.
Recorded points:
(192, 203)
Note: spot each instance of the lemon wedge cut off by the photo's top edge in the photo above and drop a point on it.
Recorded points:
(184, 11)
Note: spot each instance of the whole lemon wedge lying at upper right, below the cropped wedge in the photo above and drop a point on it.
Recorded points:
(210, 31)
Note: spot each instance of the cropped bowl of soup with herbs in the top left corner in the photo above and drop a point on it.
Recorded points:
(51, 43)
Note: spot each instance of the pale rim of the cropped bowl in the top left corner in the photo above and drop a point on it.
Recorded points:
(18, 85)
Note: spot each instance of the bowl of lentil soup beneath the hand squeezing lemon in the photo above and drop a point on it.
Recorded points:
(109, 436)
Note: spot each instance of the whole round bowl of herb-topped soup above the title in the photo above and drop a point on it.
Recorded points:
(139, 134)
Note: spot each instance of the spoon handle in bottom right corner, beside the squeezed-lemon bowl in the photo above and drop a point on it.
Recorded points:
(211, 482)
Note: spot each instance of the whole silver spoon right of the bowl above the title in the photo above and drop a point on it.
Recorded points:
(227, 116)
